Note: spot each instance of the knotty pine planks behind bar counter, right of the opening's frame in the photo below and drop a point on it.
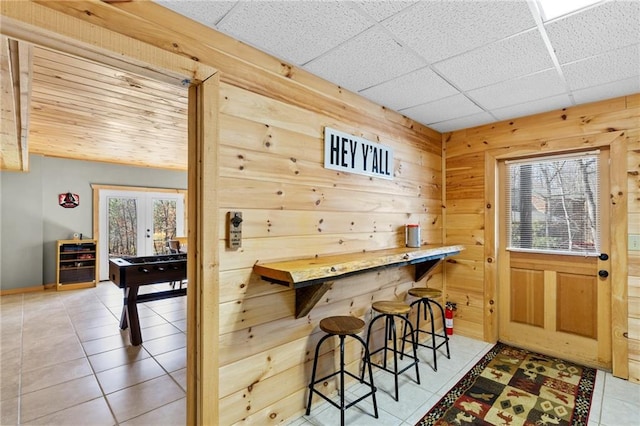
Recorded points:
(271, 157)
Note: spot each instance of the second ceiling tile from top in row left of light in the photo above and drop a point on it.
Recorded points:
(504, 60)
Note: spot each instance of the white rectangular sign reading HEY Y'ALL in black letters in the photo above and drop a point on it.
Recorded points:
(354, 154)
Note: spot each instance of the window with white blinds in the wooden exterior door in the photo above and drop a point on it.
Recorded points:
(553, 204)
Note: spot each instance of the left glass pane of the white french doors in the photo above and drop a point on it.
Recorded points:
(123, 227)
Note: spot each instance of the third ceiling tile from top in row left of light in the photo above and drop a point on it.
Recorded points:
(524, 89)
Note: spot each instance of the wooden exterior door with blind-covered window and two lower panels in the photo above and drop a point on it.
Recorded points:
(554, 287)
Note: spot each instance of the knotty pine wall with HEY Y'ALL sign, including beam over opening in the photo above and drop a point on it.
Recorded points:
(270, 167)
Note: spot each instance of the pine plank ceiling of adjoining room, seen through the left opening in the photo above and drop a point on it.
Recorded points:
(88, 111)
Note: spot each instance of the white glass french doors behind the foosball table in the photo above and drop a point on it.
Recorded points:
(134, 223)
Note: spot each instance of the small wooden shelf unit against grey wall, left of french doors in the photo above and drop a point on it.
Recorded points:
(76, 264)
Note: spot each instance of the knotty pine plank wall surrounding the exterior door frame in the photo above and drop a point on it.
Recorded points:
(465, 204)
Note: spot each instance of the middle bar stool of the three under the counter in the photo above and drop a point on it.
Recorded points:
(389, 310)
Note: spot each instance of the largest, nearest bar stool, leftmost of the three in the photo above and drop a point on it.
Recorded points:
(342, 326)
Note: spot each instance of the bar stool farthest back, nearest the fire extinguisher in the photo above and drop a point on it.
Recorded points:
(426, 298)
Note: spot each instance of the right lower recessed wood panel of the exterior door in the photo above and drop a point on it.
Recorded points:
(577, 305)
